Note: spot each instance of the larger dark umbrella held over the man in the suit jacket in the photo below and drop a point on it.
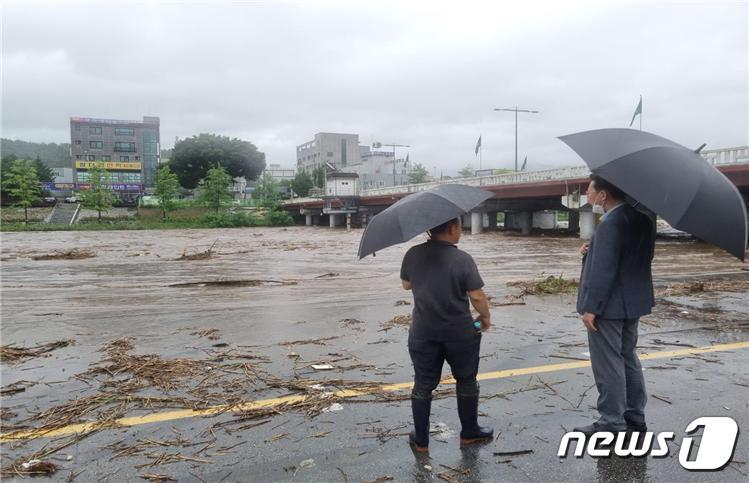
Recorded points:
(673, 181)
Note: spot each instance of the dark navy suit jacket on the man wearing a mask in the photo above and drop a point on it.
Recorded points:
(616, 280)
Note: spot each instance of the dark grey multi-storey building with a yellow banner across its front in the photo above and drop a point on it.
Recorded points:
(129, 151)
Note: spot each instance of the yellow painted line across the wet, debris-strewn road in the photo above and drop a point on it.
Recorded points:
(346, 393)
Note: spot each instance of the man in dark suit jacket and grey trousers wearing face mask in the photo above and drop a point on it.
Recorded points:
(616, 289)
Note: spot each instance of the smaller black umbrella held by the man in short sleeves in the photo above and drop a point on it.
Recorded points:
(418, 213)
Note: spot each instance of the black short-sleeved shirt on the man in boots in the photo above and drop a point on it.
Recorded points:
(440, 275)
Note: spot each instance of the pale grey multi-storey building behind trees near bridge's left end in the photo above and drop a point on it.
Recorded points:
(341, 150)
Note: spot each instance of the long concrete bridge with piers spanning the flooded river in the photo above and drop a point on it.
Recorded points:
(527, 199)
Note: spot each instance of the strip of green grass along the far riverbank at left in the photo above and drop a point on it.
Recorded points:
(221, 220)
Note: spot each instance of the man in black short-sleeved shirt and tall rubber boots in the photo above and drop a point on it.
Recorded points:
(443, 280)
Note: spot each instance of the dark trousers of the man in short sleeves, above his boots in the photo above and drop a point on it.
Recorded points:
(428, 357)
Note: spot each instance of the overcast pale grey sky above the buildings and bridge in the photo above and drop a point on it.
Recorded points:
(425, 74)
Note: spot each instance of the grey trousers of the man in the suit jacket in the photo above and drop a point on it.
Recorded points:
(617, 372)
